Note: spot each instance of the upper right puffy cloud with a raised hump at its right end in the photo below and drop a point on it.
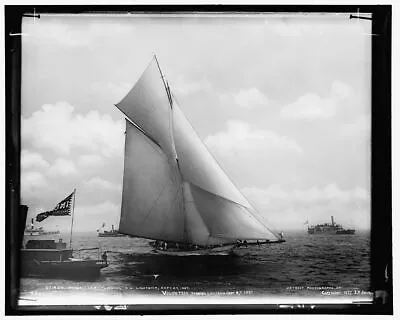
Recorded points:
(312, 106)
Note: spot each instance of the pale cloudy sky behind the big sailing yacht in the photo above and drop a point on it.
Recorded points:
(281, 101)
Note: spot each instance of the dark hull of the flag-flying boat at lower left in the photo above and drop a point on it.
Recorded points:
(69, 269)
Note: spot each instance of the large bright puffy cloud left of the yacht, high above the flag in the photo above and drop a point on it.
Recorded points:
(57, 127)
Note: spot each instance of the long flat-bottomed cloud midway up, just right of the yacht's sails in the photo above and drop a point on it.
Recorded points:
(239, 136)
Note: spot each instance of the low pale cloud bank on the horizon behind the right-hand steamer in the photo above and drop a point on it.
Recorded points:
(289, 208)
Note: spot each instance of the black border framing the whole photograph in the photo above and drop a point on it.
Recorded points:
(381, 170)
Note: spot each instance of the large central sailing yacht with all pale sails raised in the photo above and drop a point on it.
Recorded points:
(174, 191)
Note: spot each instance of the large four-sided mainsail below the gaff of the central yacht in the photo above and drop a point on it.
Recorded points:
(152, 205)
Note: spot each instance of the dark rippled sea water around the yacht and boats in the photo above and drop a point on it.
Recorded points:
(305, 266)
